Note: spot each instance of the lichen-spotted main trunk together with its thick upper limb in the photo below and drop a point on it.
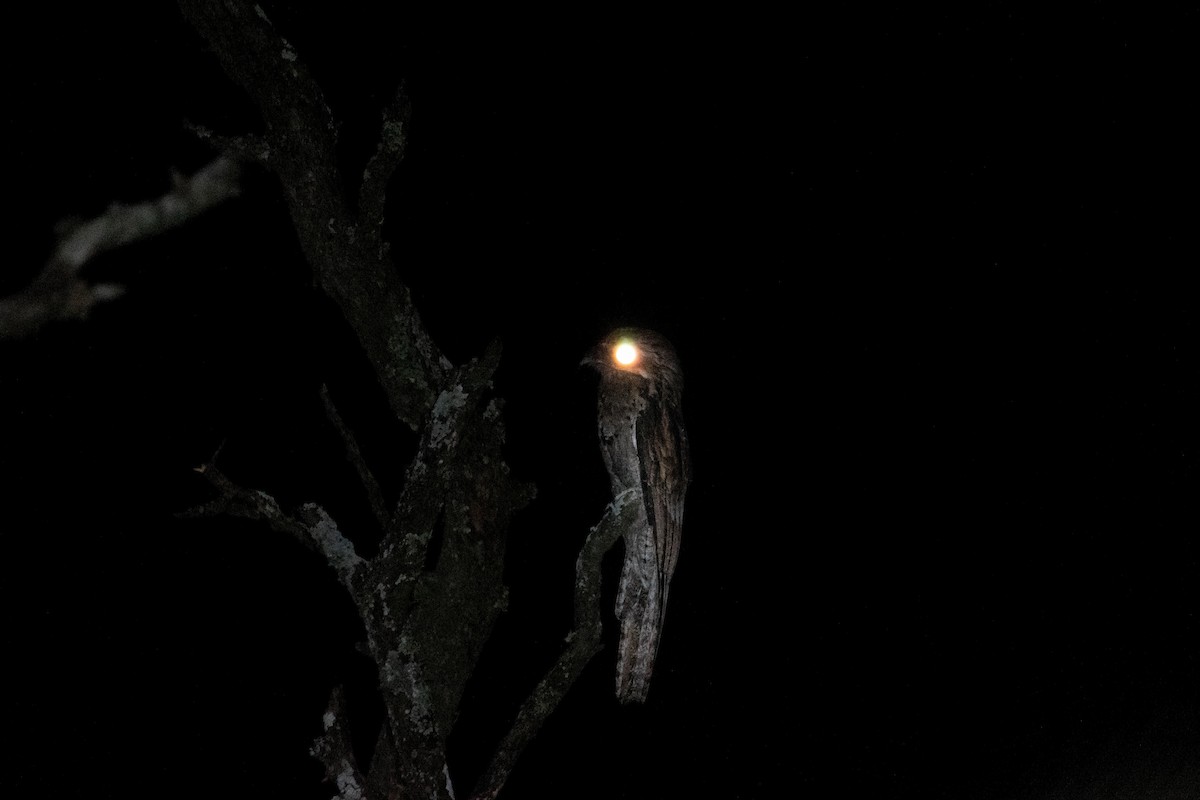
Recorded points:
(430, 599)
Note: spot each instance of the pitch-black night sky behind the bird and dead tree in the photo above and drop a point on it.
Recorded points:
(927, 278)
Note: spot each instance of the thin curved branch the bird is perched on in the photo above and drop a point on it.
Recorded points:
(583, 645)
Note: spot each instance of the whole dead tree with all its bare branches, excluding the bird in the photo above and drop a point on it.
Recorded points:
(430, 598)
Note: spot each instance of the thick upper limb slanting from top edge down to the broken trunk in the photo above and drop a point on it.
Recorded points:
(346, 250)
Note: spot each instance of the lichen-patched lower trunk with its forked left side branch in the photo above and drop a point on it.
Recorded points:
(425, 627)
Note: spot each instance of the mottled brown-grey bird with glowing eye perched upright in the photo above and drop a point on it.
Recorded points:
(645, 447)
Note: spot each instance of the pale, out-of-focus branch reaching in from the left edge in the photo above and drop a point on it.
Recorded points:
(59, 292)
